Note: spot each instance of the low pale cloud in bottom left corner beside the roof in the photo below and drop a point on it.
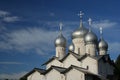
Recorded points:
(12, 76)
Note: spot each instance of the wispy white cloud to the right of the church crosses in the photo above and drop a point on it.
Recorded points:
(104, 24)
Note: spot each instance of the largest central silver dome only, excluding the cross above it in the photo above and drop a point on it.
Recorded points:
(80, 32)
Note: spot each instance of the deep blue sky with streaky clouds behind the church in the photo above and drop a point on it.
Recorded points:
(28, 29)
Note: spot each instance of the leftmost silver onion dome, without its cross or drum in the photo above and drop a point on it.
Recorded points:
(60, 41)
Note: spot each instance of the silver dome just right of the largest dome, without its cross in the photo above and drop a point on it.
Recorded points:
(91, 37)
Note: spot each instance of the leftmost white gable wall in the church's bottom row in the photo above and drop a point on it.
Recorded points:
(36, 76)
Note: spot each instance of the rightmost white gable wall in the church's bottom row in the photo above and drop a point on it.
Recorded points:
(74, 74)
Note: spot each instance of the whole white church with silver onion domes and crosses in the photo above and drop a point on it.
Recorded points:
(87, 58)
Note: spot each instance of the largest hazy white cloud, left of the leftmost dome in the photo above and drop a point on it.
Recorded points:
(23, 40)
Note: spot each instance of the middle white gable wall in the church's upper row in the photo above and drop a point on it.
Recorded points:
(71, 60)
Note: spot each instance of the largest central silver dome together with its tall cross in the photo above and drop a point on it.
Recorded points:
(81, 31)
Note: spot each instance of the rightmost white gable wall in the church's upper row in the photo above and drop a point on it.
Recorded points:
(91, 63)
